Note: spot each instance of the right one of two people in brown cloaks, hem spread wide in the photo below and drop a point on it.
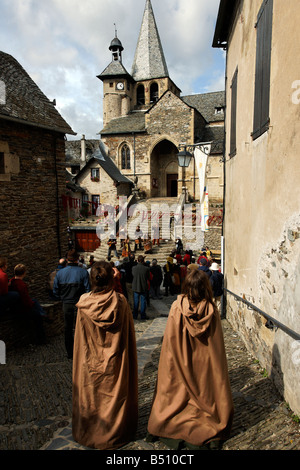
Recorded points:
(192, 404)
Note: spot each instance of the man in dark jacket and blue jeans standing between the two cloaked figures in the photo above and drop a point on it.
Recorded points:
(141, 275)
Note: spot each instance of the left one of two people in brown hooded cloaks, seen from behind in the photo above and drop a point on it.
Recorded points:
(105, 385)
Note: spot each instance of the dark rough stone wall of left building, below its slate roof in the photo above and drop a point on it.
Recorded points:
(33, 224)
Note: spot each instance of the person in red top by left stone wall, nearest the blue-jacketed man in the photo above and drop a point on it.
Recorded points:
(31, 307)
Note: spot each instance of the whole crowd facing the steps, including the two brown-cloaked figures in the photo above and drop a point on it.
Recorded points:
(192, 404)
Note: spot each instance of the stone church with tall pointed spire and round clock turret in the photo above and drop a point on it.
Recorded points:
(145, 120)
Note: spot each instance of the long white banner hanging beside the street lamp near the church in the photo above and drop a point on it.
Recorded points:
(201, 158)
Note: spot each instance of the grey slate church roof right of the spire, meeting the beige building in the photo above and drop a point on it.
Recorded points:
(206, 103)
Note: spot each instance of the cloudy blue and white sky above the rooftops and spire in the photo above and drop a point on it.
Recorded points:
(63, 45)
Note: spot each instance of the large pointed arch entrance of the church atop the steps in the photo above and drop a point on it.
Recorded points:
(164, 169)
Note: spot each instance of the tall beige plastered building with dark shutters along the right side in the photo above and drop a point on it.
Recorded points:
(262, 218)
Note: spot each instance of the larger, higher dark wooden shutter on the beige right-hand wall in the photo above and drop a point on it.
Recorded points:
(263, 69)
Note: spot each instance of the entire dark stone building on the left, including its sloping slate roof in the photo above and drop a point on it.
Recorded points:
(33, 227)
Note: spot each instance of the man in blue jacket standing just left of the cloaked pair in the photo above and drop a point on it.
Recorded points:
(69, 284)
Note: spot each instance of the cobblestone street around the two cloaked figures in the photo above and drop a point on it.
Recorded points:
(36, 396)
